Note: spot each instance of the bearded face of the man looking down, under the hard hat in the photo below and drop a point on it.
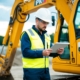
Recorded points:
(41, 25)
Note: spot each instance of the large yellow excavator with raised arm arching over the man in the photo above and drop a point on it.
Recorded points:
(68, 10)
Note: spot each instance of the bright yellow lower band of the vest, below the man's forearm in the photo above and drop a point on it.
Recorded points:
(35, 62)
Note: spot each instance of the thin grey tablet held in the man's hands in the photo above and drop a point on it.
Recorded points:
(58, 45)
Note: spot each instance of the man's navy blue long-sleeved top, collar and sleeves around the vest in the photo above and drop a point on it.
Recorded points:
(26, 46)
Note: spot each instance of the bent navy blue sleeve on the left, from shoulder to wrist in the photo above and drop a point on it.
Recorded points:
(26, 48)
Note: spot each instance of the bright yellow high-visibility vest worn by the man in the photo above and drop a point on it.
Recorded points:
(36, 44)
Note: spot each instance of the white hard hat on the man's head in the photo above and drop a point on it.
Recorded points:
(44, 14)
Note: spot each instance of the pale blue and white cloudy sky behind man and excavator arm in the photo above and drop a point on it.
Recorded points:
(5, 10)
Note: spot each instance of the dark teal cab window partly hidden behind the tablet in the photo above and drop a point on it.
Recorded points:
(64, 37)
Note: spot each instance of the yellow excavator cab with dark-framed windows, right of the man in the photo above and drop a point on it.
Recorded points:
(69, 61)
